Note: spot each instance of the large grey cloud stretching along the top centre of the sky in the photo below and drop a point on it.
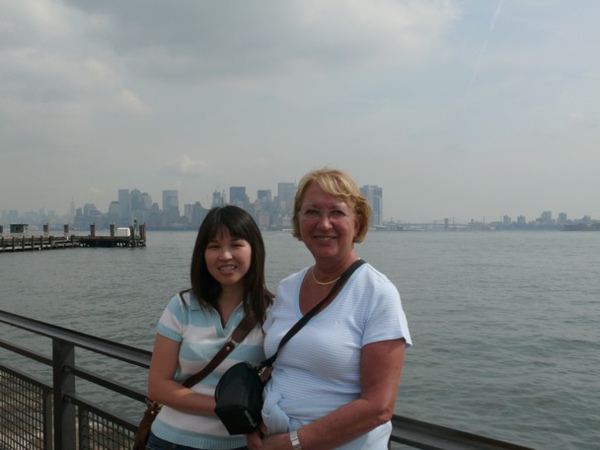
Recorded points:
(199, 42)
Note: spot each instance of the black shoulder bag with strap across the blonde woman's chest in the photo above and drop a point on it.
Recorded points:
(238, 394)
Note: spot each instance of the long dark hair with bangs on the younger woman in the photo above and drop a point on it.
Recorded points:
(239, 224)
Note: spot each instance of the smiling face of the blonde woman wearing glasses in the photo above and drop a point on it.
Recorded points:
(328, 226)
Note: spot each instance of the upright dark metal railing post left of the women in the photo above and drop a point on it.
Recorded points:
(63, 355)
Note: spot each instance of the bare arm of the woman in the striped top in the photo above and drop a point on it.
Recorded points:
(162, 387)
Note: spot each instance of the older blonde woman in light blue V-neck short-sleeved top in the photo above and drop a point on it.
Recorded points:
(334, 384)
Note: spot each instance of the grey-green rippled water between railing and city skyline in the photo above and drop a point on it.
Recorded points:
(506, 325)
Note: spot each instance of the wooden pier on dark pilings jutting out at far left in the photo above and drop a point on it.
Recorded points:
(122, 238)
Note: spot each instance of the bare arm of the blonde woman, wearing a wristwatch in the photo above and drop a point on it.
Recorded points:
(381, 367)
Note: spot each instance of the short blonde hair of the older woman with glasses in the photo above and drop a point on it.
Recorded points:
(338, 184)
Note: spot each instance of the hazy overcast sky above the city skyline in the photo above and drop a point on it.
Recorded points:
(459, 108)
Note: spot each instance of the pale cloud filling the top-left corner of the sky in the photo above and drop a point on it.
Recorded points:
(51, 75)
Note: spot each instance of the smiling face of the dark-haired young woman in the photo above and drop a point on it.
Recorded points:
(228, 258)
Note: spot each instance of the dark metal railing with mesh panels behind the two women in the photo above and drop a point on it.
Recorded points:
(37, 414)
